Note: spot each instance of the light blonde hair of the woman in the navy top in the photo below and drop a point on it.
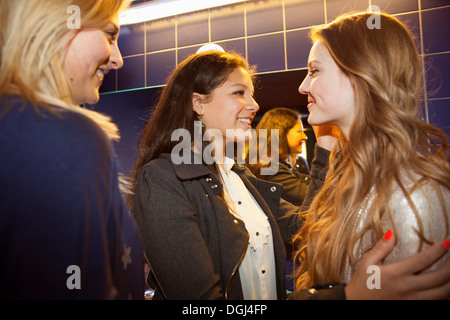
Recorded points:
(34, 37)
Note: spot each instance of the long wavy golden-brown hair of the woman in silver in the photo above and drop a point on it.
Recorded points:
(386, 140)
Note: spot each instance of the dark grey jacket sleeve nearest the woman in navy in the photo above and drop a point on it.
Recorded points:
(174, 245)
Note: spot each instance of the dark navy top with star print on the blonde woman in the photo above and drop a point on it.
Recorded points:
(65, 232)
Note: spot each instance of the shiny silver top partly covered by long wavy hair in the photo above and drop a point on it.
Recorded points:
(434, 220)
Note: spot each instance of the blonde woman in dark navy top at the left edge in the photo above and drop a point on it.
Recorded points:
(65, 232)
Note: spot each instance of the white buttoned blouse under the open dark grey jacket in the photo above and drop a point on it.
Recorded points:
(257, 270)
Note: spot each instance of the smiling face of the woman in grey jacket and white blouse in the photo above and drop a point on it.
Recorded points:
(230, 107)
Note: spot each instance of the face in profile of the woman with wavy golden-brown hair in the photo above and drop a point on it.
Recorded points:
(331, 96)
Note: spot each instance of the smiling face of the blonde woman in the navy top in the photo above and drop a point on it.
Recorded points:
(91, 54)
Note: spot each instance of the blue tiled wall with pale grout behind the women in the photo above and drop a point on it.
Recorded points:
(273, 34)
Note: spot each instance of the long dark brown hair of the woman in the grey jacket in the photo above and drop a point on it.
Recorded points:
(200, 73)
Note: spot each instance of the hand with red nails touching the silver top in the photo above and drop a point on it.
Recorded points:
(403, 279)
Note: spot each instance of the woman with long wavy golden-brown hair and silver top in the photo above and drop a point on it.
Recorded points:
(389, 171)
